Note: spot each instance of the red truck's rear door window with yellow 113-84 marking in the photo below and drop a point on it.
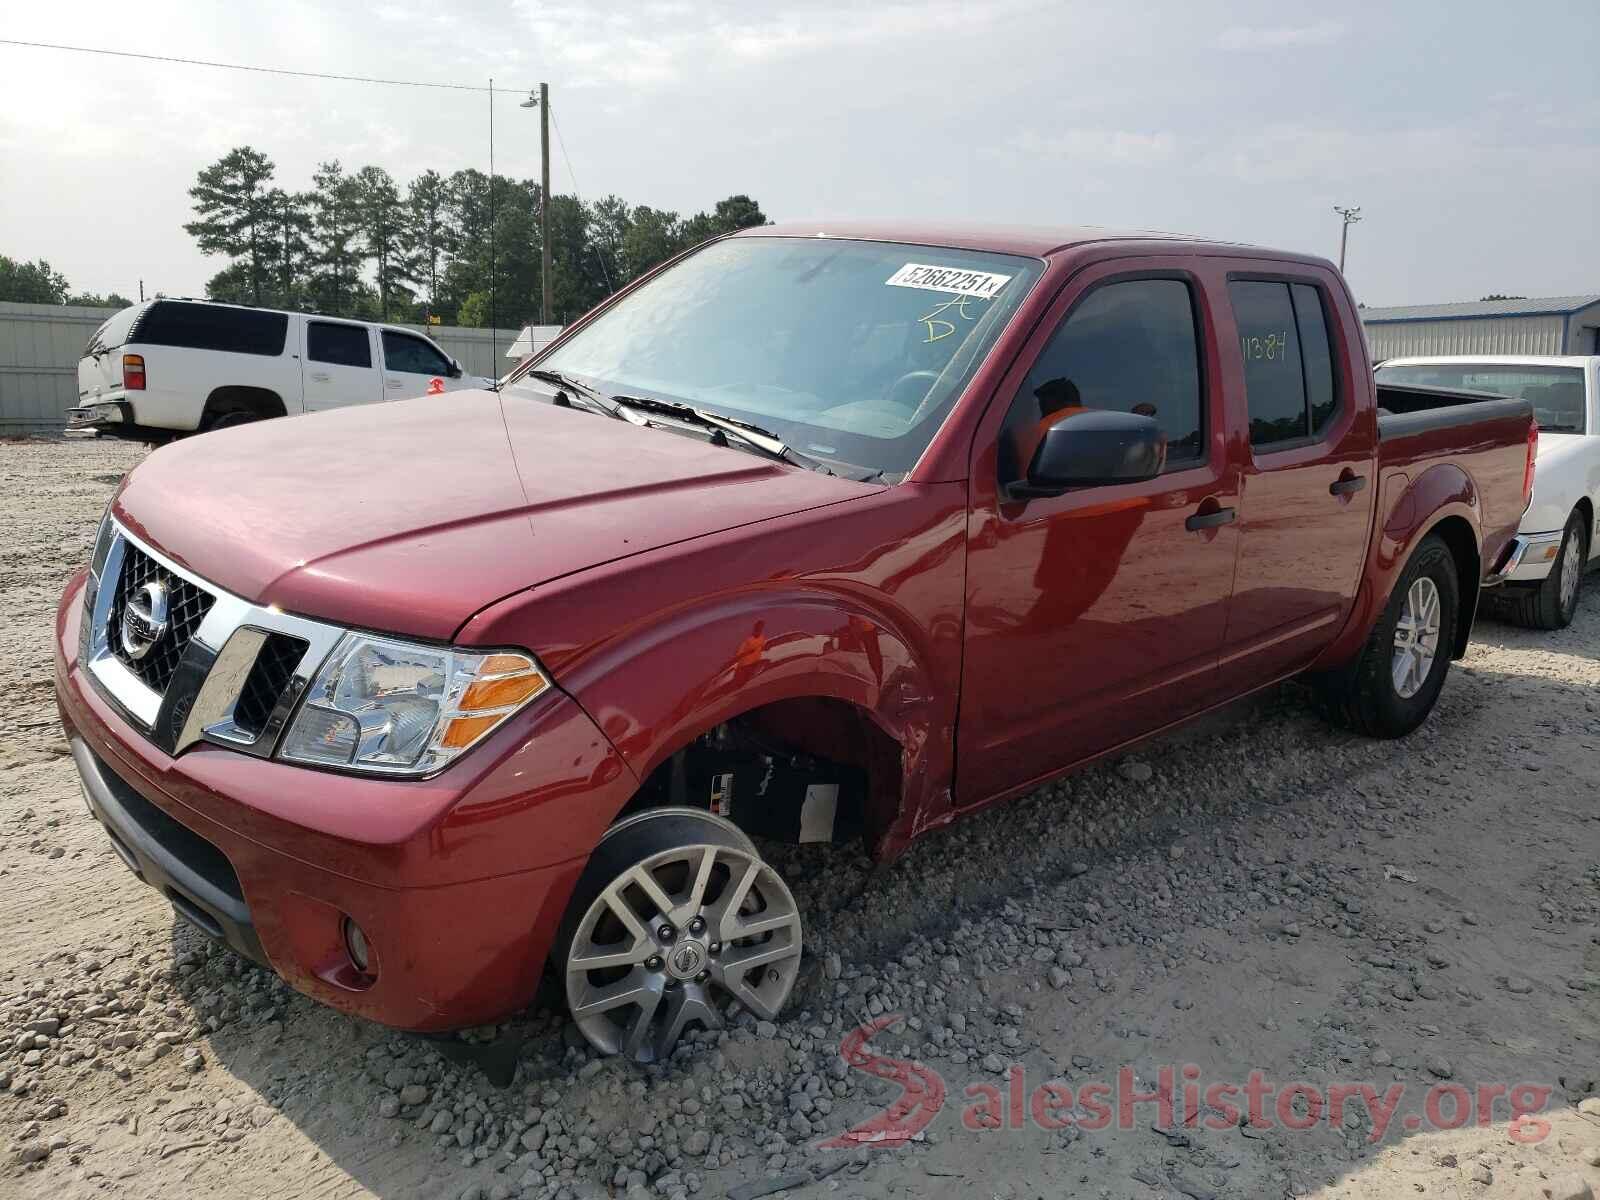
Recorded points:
(1289, 361)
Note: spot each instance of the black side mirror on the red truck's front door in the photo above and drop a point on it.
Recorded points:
(1094, 447)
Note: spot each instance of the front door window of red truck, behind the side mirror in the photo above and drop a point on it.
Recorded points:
(1127, 346)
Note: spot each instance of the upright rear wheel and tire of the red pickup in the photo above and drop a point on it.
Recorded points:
(1391, 689)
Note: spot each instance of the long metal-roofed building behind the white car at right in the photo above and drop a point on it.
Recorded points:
(1551, 326)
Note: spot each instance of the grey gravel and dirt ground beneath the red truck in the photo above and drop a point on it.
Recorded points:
(1257, 895)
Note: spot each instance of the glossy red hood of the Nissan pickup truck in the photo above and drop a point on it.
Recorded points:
(412, 516)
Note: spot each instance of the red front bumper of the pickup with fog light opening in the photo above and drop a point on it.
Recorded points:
(460, 882)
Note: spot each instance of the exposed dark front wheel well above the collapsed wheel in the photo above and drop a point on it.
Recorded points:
(759, 770)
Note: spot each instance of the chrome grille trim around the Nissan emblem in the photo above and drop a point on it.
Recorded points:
(206, 687)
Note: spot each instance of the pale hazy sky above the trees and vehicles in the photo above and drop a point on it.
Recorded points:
(1468, 132)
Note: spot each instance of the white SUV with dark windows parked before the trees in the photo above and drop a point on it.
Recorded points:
(175, 367)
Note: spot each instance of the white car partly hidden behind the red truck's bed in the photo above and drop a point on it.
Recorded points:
(1556, 542)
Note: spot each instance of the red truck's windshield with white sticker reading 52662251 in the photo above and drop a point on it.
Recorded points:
(852, 353)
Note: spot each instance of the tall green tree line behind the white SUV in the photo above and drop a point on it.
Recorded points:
(358, 244)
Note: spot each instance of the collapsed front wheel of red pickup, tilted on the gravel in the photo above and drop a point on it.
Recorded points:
(674, 916)
